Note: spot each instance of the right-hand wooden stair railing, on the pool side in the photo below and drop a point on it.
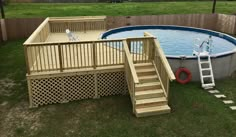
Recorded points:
(161, 65)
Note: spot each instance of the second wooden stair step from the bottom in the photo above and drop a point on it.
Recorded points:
(141, 103)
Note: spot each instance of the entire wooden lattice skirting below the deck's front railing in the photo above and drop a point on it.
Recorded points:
(60, 89)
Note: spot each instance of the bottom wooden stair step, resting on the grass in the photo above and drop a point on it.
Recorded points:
(150, 111)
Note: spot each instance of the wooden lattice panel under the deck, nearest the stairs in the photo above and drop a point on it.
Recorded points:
(111, 83)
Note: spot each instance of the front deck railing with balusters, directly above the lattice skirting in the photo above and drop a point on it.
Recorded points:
(44, 57)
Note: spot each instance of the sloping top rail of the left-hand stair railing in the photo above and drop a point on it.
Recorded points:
(130, 62)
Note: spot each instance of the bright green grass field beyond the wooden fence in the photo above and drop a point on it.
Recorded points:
(151, 8)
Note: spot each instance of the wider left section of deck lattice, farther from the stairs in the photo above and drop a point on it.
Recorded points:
(62, 89)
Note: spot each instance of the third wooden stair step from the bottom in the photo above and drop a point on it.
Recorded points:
(149, 94)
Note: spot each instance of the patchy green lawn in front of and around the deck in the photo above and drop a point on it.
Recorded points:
(195, 113)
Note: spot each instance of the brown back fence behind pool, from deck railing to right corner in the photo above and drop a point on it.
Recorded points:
(207, 21)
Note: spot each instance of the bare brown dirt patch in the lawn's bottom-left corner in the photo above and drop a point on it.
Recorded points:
(20, 121)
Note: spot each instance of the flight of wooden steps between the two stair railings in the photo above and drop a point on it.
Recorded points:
(149, 95)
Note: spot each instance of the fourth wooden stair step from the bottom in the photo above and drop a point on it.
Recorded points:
(148, 86)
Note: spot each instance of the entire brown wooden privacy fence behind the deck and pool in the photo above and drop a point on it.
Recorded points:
(23, 27)
